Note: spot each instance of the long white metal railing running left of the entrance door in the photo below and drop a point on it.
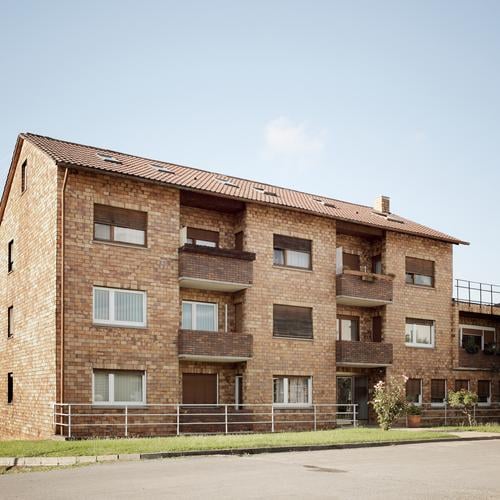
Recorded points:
(80, 419)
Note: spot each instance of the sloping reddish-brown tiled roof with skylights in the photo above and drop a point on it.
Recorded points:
(78, 155)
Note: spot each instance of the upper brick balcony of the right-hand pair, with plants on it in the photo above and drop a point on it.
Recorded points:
(357, 288)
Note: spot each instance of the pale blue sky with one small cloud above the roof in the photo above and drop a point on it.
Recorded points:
(341, 98)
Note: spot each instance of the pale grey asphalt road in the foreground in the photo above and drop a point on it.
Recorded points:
(433, 470)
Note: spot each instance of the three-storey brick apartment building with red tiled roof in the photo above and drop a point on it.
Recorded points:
(128, 281)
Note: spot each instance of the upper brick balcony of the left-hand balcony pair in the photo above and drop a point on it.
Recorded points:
(217, 269)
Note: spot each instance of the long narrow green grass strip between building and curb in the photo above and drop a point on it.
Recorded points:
(185, 443)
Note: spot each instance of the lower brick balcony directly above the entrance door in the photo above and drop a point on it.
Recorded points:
(369, 354)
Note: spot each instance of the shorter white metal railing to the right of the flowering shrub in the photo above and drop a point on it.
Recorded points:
(444, 414)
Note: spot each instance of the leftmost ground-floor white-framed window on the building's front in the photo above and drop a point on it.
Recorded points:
(119, 387)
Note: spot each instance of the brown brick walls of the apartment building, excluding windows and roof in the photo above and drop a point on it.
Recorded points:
(33, 220)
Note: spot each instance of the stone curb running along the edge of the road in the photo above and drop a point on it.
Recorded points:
(68, 461)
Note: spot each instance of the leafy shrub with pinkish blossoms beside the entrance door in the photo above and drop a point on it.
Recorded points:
(389, 403)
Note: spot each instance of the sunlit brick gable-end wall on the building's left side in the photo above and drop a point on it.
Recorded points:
(30, 219)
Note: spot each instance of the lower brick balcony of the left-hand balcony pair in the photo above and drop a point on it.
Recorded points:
(225, 347)
